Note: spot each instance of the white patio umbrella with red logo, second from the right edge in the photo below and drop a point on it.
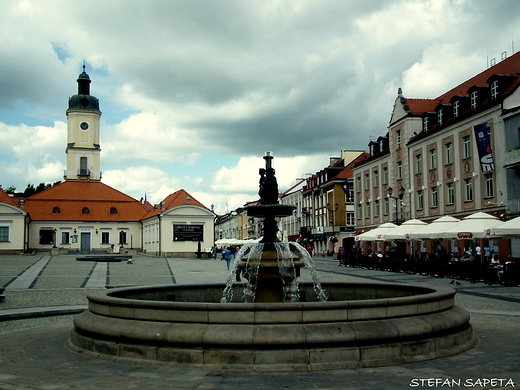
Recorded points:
(473, 226)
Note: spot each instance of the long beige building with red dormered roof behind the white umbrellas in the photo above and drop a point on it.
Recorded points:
(452, 155)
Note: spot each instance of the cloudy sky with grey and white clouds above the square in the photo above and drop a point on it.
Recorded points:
(194, 92)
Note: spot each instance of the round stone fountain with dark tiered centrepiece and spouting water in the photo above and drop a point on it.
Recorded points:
(276, 323)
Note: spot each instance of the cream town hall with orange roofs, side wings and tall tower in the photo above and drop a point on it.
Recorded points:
(83, 214)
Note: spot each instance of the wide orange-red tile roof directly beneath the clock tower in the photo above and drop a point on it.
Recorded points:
(68, 201)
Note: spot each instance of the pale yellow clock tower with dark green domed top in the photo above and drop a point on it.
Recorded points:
(83, 150)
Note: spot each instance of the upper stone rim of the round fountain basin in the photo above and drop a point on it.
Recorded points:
(424, 294)
